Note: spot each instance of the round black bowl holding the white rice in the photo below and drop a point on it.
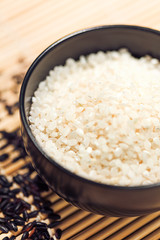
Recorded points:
(89, 195)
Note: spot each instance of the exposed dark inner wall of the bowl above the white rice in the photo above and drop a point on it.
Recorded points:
(139, 41)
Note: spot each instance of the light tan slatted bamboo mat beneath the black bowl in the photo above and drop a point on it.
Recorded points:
(26, 28)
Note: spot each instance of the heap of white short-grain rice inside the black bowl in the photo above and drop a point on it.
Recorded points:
(99, 117)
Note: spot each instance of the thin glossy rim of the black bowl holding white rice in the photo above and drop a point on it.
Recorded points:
(24, 117)
